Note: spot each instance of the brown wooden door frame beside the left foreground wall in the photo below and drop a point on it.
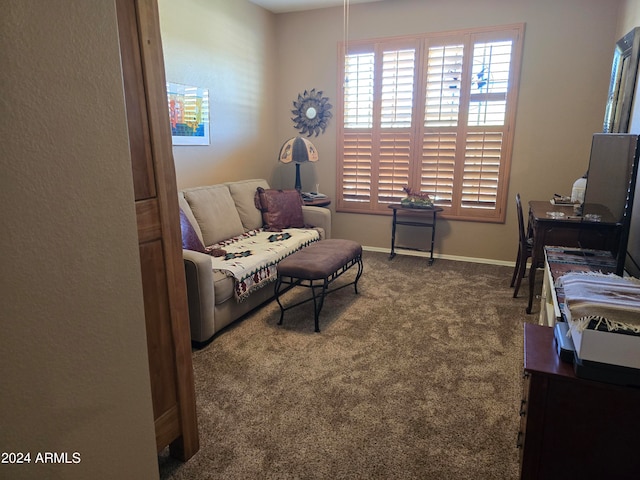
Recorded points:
(157, 204)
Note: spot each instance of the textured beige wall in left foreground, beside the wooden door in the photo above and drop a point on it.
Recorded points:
(73, 360)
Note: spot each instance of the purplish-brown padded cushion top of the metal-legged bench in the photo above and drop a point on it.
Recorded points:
(320, 259)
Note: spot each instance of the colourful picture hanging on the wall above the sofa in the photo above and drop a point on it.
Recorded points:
(188, 114)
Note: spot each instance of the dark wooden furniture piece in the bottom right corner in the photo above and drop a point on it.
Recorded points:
(571, 427)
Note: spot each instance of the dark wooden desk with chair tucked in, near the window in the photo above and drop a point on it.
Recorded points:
(567, 231)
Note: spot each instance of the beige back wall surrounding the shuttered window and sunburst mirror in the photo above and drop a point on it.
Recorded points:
(565, 73)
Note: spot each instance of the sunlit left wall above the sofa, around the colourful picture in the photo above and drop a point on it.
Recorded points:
(227, 47)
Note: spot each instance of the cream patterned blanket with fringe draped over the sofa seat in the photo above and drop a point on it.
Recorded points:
(251, 259)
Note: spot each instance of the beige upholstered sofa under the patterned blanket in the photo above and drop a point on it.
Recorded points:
(217, 213)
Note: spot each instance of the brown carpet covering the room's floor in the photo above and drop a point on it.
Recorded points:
(417, 377)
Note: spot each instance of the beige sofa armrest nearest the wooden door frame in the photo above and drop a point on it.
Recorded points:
(200, 294)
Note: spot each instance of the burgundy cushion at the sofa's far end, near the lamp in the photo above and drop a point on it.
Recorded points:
(280, 208)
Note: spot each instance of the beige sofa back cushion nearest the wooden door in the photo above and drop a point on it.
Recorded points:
(215, 212)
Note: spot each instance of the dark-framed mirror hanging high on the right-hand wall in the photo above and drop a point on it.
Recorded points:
(624, 70)
